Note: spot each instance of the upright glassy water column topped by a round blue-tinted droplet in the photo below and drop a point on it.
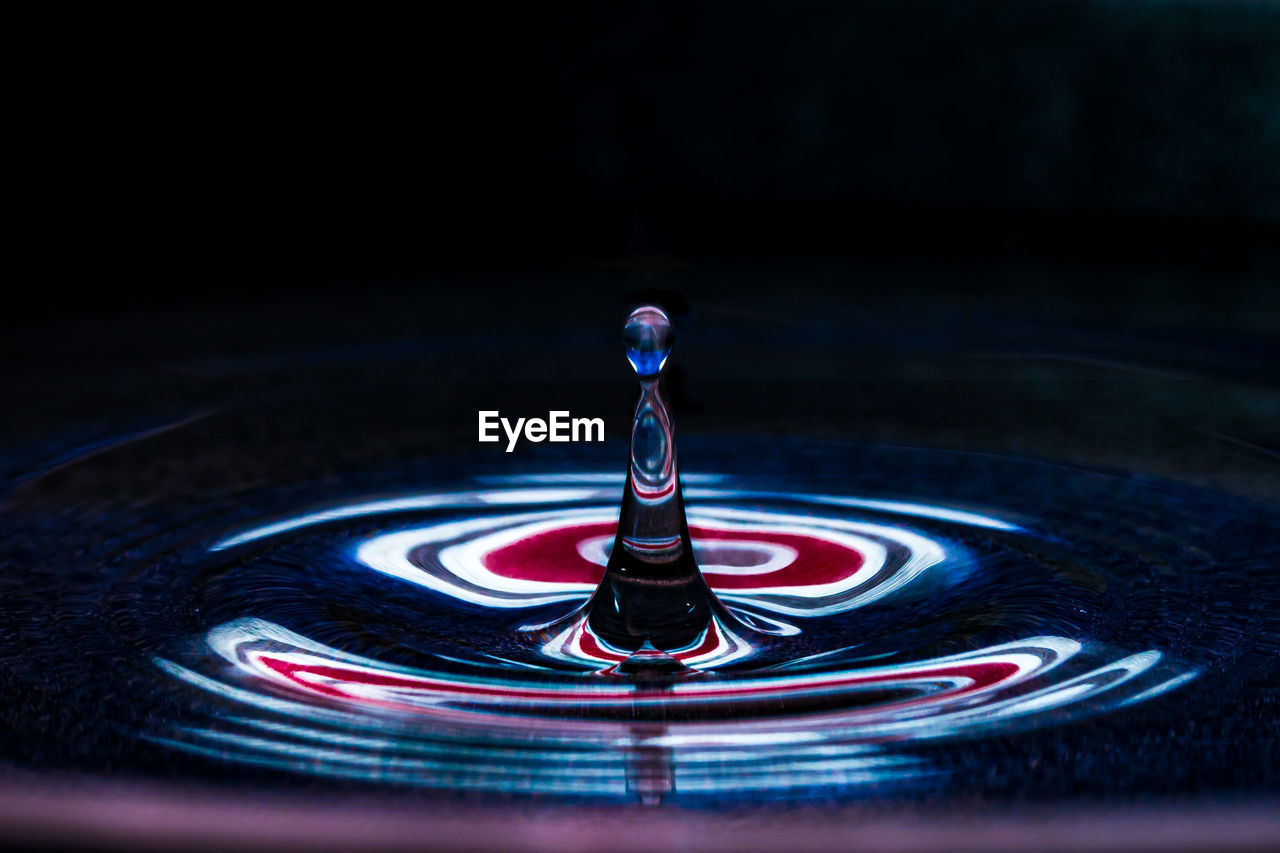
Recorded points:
(653, 597)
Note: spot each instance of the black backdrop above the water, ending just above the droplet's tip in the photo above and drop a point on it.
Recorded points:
(175, 157)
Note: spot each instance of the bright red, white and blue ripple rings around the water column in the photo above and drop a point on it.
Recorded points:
(519, 708)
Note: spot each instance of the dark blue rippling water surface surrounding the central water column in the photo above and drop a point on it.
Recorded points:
(1028, 631)
